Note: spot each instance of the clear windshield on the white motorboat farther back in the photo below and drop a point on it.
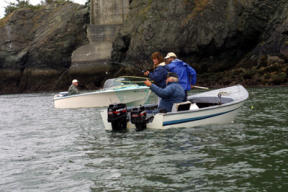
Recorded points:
(122, 81)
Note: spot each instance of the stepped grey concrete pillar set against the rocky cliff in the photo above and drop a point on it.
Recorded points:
(106, 16)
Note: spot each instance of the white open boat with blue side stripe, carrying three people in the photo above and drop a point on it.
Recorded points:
(212, 107)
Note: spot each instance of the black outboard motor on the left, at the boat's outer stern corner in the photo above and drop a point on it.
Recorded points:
(117, 116)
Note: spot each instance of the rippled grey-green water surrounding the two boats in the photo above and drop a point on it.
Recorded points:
(47, 149)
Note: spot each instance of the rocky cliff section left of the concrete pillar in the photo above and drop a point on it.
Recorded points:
(36, 46)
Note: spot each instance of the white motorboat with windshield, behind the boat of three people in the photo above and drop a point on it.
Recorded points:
(118, 90)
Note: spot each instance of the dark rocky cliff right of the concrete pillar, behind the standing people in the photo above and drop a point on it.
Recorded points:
(226, 41)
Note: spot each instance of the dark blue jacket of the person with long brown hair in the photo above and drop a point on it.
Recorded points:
(159, 76)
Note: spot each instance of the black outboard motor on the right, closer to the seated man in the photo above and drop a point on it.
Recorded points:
(139, 118)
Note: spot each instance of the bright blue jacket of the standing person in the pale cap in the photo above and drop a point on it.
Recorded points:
(186, 74)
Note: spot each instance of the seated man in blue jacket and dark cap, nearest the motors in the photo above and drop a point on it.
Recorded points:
(172, 93)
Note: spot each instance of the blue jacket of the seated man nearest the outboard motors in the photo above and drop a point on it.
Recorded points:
(172, 93)
